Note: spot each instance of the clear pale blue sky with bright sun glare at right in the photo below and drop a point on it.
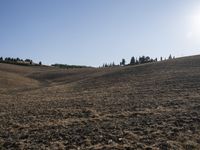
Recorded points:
(93, 32)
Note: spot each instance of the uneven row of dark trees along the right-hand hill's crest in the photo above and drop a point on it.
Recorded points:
(137, 61)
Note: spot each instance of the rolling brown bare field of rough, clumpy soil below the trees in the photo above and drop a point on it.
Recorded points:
(151, 106)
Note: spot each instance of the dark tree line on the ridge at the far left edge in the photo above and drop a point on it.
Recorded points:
(18, 61)
